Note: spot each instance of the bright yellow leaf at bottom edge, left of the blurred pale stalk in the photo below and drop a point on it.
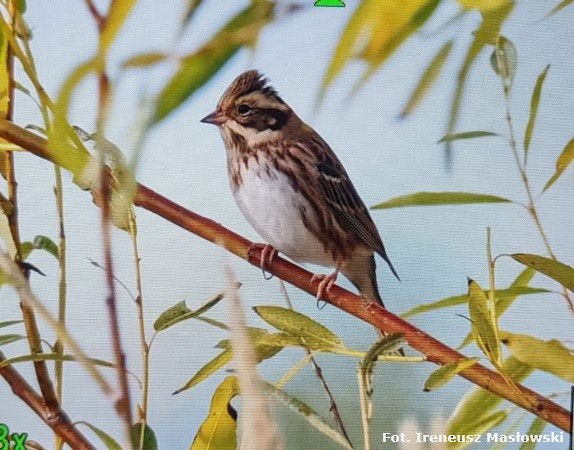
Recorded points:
(219, 429)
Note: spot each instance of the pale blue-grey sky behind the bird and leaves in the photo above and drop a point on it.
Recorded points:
(434, 249)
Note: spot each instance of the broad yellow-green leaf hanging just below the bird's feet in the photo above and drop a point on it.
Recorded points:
(312, 334)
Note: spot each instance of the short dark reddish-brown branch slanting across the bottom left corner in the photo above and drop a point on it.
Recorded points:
(56, 419)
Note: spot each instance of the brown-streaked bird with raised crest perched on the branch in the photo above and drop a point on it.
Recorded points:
(293, 189)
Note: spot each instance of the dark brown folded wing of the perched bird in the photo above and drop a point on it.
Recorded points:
(342, 196)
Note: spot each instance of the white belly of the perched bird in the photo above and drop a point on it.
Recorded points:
(272, 208)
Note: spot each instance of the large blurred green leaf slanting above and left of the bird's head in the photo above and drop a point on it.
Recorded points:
(199, 67)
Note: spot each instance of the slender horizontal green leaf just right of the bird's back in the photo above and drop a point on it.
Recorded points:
(439, 198)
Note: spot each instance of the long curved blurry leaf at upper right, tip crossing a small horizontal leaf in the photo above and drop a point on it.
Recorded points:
(486, 34)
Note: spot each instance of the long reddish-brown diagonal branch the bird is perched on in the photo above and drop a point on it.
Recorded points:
(435, 351)
